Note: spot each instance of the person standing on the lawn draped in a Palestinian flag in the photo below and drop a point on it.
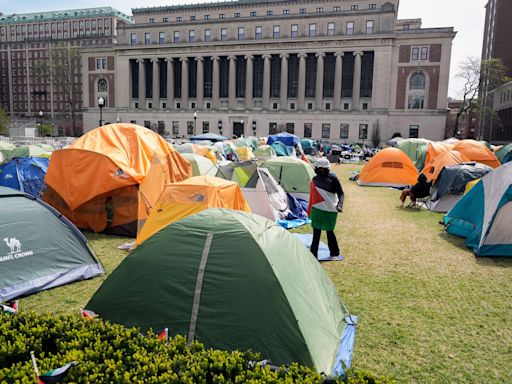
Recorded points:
(325, 201)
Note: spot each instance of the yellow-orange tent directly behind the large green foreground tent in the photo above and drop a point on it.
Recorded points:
(185, 198)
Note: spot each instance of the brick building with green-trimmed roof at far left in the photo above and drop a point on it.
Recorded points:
(26, 45)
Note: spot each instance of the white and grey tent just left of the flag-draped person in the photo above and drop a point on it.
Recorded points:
(265, 197)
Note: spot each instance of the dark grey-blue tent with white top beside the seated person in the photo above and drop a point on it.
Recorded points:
(451, 184)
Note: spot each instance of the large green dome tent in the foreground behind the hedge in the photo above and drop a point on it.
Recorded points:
(234, 281)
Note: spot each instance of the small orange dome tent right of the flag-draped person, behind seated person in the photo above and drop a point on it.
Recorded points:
(390, 167)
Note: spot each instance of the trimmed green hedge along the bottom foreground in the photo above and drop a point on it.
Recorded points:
(111, 353)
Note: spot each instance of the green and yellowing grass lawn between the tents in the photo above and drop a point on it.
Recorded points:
(429, 311)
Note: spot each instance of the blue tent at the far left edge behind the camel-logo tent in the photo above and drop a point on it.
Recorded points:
(25, 174)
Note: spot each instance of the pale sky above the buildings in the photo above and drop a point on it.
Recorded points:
(466, 16)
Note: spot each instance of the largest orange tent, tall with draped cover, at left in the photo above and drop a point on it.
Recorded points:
(107, 178)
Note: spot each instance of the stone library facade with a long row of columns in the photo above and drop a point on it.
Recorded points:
(332, 70)
